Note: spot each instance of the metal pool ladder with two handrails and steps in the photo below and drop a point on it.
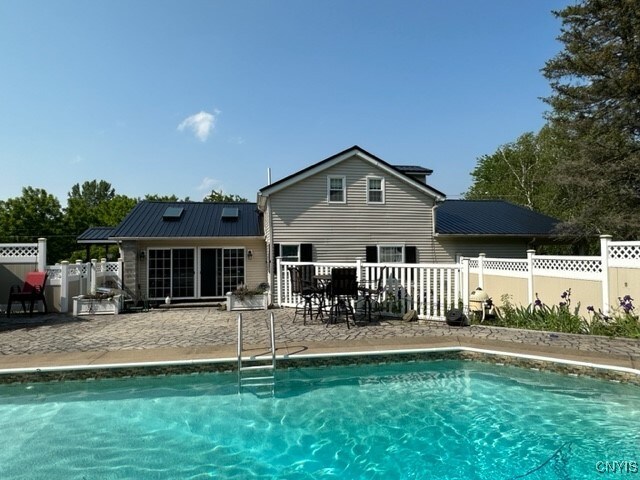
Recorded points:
(257, 372)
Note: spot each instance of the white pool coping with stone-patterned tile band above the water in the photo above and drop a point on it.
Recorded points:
(569, 363)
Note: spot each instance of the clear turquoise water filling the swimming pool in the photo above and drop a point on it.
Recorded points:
(431, 420)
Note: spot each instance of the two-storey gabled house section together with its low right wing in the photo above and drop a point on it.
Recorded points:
(354, 204)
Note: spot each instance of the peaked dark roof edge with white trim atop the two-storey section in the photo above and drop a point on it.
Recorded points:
(342, 156)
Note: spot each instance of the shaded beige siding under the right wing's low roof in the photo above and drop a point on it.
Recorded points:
(448, 248)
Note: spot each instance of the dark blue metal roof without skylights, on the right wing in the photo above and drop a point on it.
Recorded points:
(492, 218)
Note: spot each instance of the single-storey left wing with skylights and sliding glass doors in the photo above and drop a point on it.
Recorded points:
(191, 250)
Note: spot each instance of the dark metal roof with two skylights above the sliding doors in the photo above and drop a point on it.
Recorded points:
(189, 220)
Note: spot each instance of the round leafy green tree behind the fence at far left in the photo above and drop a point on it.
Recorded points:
(35, 214)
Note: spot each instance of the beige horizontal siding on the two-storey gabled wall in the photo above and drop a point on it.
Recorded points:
(341, 231)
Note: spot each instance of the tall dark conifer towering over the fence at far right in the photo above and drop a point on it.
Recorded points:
(596, 105)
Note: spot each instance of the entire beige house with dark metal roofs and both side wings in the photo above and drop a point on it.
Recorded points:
(350, 205)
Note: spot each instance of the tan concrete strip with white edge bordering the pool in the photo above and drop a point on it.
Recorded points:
(176, 356)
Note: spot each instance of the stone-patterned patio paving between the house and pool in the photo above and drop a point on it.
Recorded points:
(206, 332)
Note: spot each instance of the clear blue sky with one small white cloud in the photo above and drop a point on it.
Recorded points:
(182, 97)
